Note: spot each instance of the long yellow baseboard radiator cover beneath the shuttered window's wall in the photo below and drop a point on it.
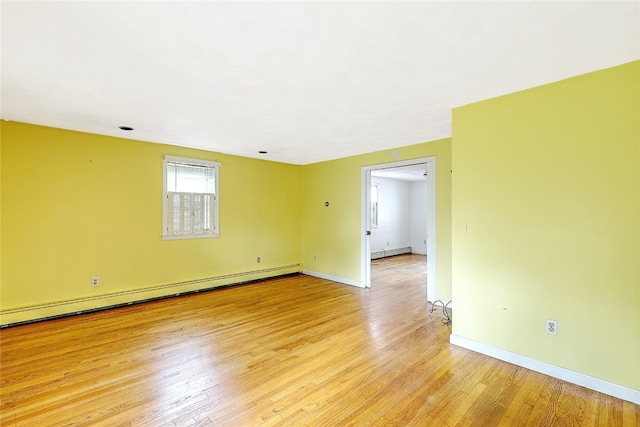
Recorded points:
(39, 312)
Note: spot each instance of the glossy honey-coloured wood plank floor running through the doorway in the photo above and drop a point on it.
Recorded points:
(290, 351)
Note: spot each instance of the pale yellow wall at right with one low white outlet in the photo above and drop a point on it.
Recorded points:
(546, 223)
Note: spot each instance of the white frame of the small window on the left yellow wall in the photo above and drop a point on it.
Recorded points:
(167, 233)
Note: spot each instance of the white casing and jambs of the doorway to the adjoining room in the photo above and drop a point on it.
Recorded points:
(425, 169)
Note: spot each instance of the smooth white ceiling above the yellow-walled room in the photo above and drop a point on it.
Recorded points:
(305, 81)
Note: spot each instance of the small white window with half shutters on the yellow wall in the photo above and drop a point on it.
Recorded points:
(190, 208)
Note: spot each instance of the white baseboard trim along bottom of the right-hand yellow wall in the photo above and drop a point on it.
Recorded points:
(573, 377)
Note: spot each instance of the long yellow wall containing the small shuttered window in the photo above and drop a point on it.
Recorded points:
(77, 205)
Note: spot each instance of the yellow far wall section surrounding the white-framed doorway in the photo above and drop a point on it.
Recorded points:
(333, 233)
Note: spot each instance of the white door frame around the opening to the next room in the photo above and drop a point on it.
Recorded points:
(365, 222)
